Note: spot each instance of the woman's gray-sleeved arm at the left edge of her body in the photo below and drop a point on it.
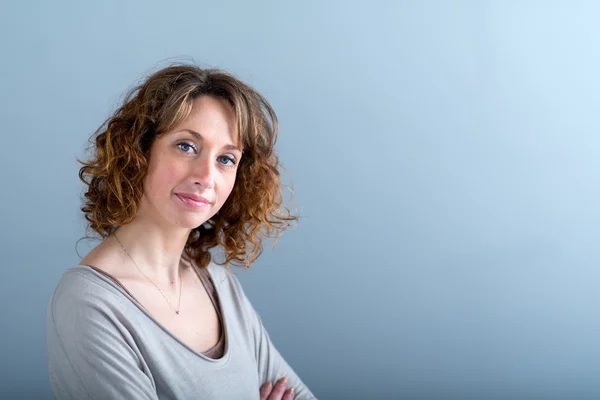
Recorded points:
(90, 355)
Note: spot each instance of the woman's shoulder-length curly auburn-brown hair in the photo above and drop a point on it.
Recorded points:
(115, 173)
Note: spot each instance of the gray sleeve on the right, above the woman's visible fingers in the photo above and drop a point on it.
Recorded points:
(271, 365)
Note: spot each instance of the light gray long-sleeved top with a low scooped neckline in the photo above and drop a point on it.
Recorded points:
(103, 344)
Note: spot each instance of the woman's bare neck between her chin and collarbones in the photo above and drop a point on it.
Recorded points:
(154, 249)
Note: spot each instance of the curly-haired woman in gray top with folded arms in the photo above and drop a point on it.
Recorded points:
(185, 167)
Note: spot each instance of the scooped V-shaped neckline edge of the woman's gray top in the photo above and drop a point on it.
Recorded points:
(226, 352)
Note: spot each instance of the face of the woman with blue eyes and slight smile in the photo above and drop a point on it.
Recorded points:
(192, 168)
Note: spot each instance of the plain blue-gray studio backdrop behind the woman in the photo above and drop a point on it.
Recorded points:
(445, 160)
